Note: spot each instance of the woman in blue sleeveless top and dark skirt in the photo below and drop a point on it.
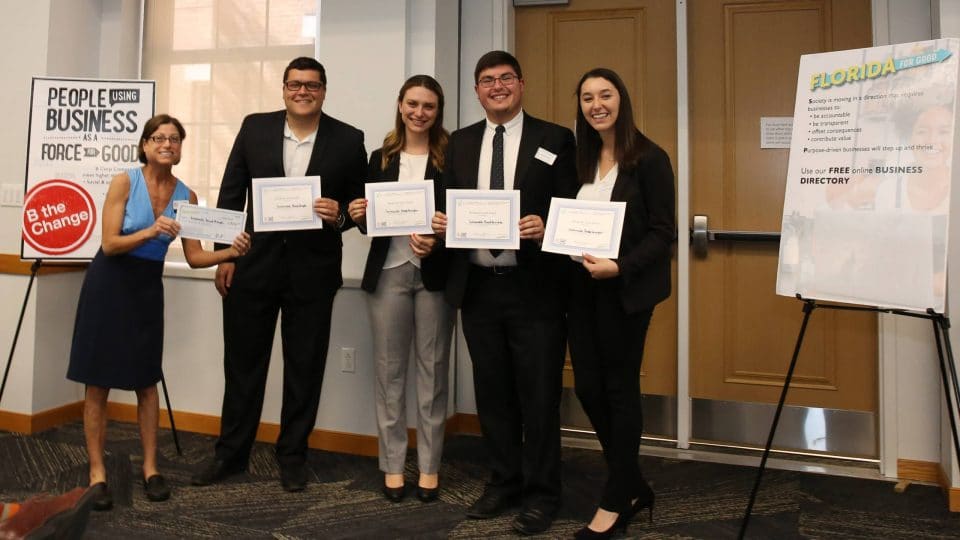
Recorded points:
(118, 335)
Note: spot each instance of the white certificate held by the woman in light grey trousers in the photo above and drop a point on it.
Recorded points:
(399, 208)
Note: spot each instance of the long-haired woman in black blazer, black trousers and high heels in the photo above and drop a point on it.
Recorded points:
(612, 300)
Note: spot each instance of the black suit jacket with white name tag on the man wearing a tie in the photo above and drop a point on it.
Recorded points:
(537, 181)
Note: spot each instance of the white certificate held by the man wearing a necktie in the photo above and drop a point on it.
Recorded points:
(483, 219)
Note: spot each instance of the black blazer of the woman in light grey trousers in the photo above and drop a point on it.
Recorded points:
(433, 268)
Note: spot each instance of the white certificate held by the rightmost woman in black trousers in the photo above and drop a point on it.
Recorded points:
(575, 227)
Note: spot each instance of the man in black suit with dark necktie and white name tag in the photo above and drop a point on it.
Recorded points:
(511, 301)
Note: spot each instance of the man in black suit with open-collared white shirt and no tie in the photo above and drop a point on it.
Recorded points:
(296, 272)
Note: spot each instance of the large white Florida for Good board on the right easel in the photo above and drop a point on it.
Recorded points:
(866, 208)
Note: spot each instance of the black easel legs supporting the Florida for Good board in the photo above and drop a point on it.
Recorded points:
(948, 375)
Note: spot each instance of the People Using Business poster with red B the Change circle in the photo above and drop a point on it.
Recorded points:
(82, 133)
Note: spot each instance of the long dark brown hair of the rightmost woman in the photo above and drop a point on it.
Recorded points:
(630, 145)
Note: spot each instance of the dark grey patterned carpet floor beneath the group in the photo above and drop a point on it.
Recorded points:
(343, 500)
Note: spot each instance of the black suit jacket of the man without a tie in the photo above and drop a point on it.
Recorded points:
(338, 157)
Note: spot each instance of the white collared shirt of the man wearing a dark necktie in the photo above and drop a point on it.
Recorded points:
(513, 130)
